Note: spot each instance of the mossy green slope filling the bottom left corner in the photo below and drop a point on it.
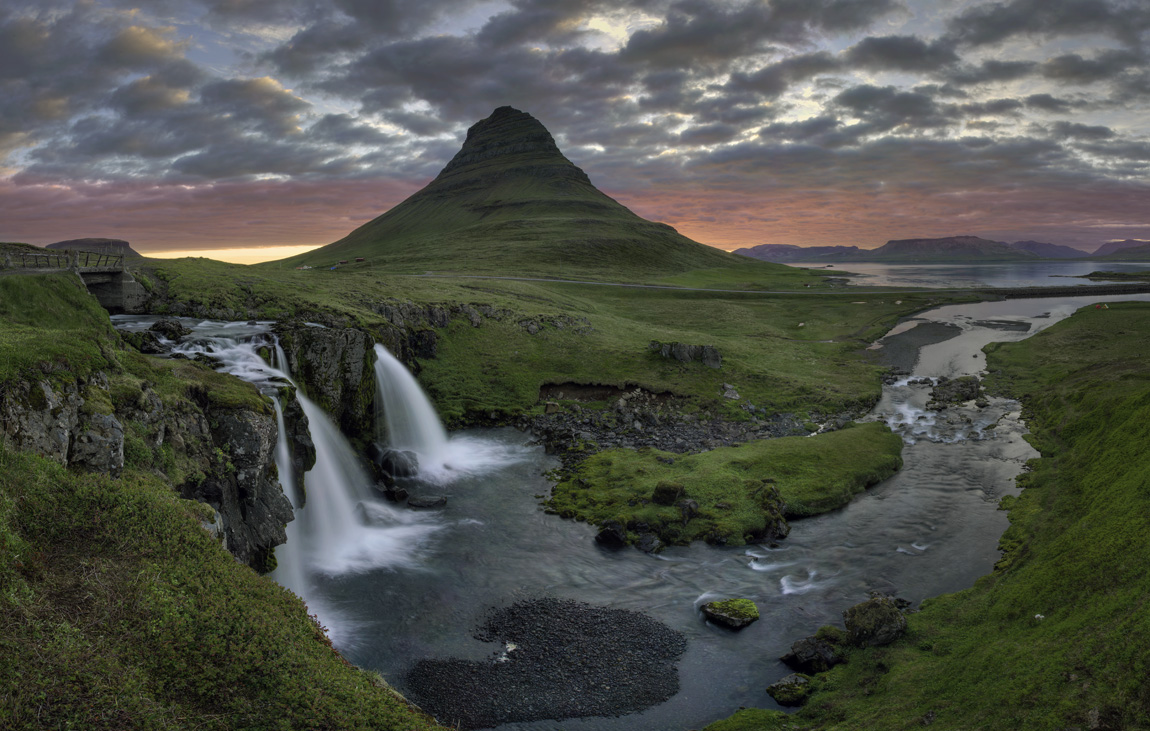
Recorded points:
(119, 612)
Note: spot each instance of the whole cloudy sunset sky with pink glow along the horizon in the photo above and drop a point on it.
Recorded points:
(212, 125)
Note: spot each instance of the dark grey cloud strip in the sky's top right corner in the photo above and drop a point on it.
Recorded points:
(995, 22)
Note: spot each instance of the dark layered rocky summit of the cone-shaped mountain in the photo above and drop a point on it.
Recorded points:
(508, 135)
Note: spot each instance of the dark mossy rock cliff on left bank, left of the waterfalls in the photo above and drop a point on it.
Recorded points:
(221, 457)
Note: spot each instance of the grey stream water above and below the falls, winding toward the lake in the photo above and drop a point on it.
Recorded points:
(433, 576)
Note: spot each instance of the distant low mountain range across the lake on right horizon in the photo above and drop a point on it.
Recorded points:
(954, 249)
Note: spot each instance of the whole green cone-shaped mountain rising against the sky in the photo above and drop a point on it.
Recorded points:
(511, 204)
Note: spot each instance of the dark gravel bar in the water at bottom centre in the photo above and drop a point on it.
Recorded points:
(562, 659)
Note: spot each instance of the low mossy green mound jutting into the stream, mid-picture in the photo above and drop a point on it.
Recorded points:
(812, 475)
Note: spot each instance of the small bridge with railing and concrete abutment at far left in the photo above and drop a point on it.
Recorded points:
(106, 276)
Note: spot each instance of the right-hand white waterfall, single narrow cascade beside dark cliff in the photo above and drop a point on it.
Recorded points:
(409, 418)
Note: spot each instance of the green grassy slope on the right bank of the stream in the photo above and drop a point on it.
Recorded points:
(1059, 636)
